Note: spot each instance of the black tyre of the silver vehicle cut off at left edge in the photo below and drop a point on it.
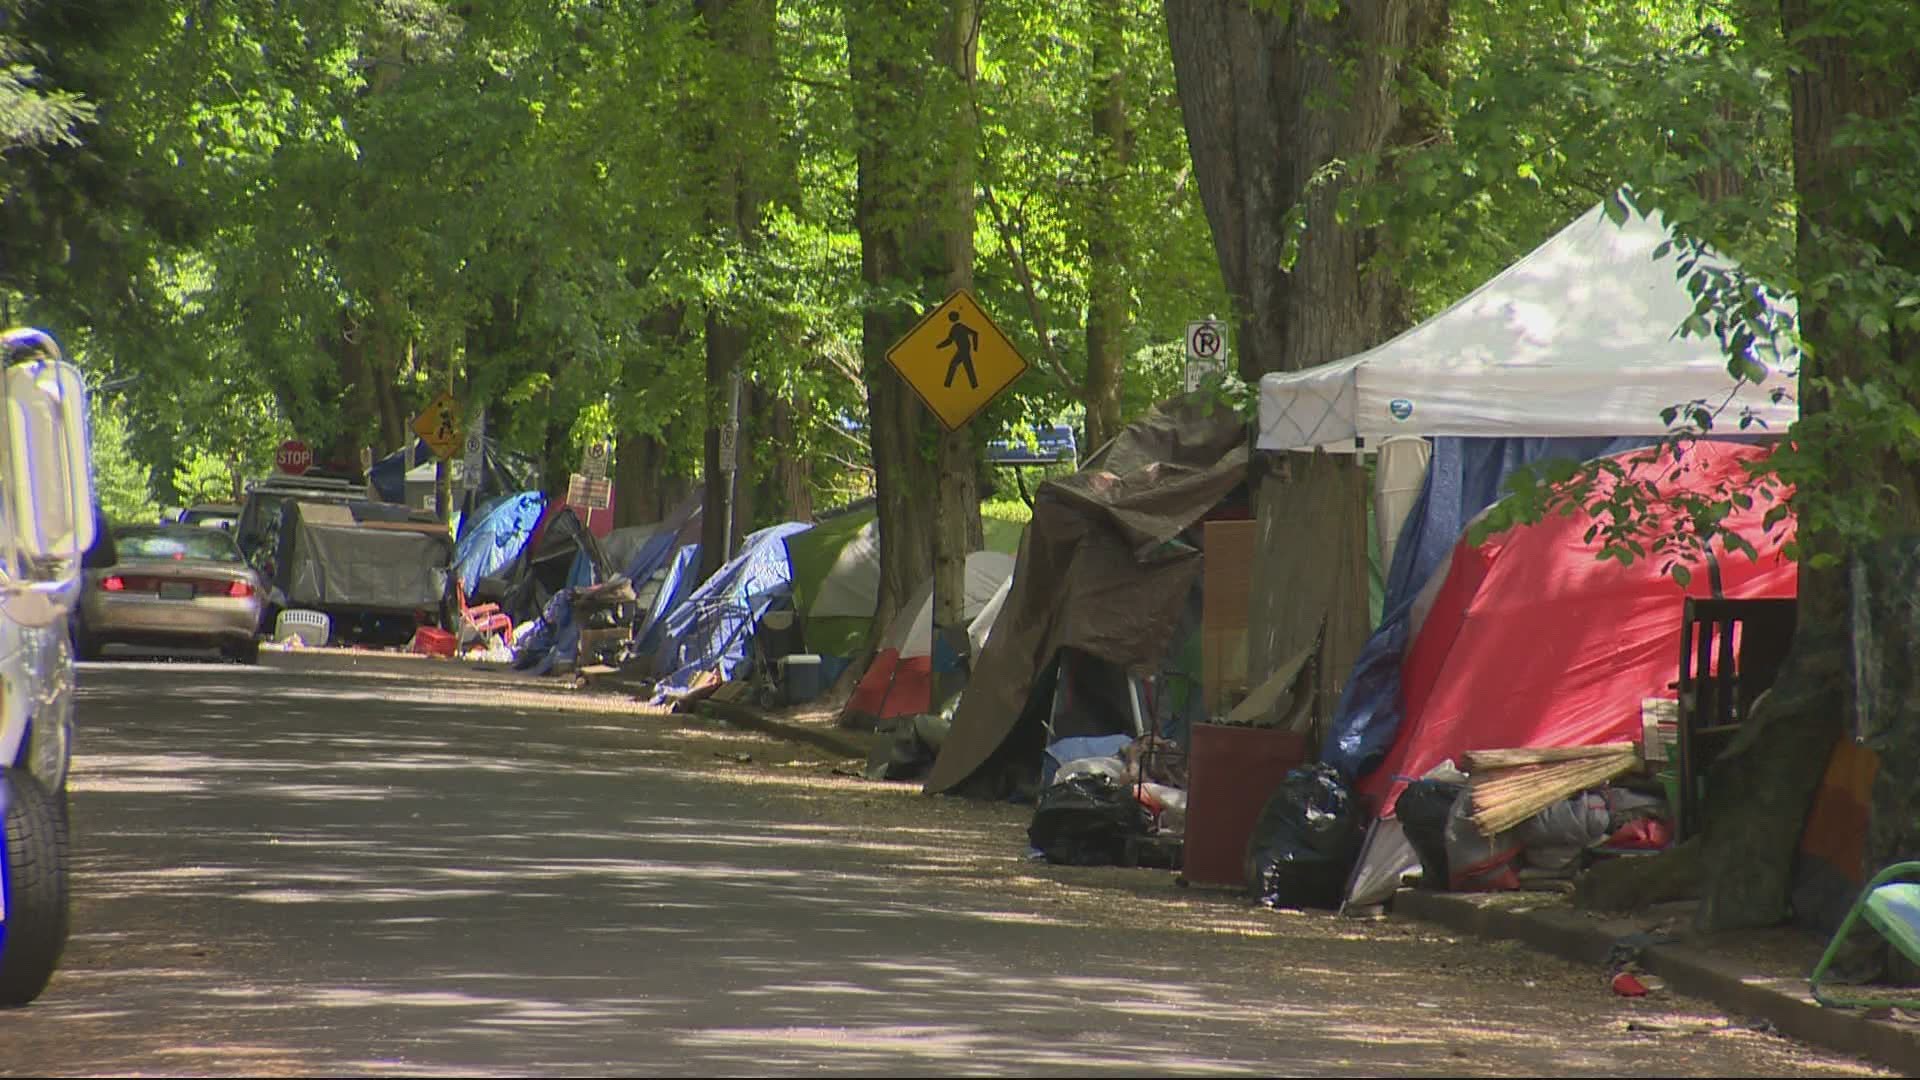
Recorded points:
(36, 889)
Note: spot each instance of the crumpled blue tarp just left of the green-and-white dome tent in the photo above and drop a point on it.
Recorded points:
(711, 629)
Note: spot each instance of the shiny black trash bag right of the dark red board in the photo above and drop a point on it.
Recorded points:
(1305, 843)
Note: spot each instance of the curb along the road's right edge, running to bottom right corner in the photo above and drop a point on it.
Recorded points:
(1687, 970)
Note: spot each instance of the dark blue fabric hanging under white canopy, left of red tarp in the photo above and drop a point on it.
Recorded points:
(1464, 478)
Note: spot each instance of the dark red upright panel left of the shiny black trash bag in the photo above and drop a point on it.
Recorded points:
(1232, 773)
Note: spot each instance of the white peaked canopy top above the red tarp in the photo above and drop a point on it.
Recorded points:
(1577, 339)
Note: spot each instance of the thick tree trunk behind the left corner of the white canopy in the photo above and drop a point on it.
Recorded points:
(1280, 105)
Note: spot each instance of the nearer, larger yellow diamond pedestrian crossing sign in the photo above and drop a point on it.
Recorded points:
(957, 360)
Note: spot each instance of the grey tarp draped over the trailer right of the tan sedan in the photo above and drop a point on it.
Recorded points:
(333, 564)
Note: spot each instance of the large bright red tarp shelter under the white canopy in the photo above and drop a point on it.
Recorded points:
(1533, 641)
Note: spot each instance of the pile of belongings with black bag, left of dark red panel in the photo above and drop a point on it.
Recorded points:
(1103, 795)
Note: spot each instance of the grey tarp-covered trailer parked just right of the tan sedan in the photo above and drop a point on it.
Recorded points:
(377, 572)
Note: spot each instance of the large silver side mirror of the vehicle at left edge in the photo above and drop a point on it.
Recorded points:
(47, 489)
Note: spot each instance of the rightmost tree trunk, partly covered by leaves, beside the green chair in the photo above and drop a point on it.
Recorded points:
(1762, 791)
